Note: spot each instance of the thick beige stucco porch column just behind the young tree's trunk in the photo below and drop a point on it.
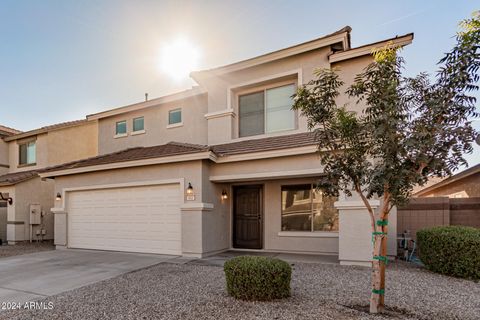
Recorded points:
(355, 235)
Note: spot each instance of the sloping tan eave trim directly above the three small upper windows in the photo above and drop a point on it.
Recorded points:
(150, 103)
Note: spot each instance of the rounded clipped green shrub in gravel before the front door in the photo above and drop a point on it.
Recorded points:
(257, 278)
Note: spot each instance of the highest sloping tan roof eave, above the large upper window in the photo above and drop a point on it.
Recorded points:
(342, 36)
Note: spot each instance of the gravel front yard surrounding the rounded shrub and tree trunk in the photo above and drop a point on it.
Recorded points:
(320, 291)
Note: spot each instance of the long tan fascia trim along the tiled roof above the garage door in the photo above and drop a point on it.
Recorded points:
(129, 164)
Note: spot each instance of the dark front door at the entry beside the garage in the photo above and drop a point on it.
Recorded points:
(247, 217)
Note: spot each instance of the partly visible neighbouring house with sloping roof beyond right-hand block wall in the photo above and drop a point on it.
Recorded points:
(465, 184)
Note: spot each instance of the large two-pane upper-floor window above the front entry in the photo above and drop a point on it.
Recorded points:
(266, 111)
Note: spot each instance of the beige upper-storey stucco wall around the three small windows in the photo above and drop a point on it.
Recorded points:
(194, 129)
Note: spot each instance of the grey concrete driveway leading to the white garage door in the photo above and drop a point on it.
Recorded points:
(33, 276)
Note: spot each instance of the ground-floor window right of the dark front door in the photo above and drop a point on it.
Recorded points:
(304, 208)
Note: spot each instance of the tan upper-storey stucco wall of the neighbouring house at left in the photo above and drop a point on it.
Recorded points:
(58, 146)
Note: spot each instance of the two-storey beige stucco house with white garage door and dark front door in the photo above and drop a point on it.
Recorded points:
(224, 165)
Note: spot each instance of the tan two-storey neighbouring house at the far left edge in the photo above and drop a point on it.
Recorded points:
(23, 154)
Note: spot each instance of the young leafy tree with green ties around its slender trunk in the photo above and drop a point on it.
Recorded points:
(410, 129)
